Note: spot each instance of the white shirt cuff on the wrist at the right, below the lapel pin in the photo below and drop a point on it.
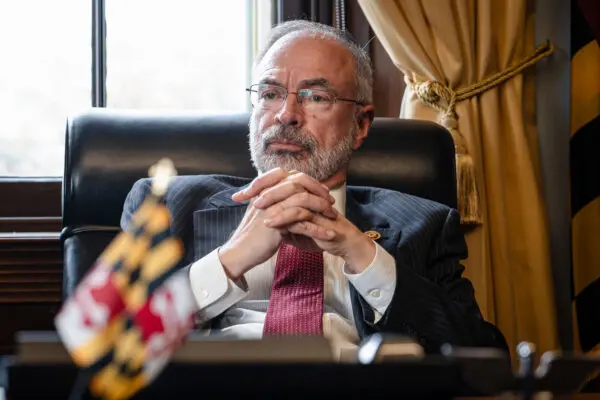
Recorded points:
(376, 284)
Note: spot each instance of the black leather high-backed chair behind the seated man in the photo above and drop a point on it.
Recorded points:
(108, 150)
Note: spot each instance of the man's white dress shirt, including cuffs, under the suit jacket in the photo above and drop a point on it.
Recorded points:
(244, 303)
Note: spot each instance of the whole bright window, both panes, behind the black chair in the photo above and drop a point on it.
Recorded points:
(175, 54)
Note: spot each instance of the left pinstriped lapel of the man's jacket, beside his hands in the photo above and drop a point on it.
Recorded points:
(214, 225)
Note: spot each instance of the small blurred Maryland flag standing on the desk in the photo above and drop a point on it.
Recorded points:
(134, 307)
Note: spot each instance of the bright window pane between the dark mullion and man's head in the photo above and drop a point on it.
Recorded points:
(181, 54)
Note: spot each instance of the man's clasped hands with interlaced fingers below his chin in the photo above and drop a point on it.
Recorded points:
(294, 208)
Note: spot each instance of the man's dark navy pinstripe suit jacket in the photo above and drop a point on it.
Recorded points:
(432, 303)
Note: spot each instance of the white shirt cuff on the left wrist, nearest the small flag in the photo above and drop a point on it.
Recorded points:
(213, 290)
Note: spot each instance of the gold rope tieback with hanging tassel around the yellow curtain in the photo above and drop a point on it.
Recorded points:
(442, 98)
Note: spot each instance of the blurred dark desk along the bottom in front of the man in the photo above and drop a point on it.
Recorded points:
(436, 377)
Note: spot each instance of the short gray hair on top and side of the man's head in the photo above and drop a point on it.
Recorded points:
(364, 70)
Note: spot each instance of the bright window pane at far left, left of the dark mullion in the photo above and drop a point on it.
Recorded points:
(44, 75)
